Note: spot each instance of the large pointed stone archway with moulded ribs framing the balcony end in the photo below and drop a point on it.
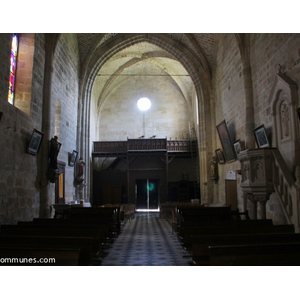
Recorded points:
(194, 67)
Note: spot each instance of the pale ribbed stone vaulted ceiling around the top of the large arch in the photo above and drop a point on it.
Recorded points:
(145, 59)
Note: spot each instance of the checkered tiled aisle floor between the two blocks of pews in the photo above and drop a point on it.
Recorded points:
(147, 240)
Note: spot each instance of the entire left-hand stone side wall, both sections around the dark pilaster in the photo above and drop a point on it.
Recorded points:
(20, 172)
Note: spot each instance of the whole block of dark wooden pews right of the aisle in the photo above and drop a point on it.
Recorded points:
(218, 236)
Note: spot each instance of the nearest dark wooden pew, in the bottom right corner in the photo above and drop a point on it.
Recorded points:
(272, 254)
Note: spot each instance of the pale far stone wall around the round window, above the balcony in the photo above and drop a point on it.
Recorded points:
(168, 116)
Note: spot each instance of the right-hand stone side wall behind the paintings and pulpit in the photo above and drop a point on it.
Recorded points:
(267, 51)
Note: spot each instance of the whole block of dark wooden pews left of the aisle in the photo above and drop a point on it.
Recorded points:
(76, 236)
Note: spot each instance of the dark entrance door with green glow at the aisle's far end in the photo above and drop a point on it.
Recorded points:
(147, 194)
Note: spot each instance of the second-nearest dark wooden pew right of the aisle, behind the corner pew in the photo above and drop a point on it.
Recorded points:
(200, 244)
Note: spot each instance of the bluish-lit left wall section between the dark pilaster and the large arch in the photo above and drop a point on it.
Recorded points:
(64, 104)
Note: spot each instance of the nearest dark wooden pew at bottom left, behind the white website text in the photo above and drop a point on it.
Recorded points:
(19, 256)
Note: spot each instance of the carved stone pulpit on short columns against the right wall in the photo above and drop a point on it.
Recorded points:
(257, 180)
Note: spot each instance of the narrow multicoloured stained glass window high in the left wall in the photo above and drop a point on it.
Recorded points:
(13, 66)
